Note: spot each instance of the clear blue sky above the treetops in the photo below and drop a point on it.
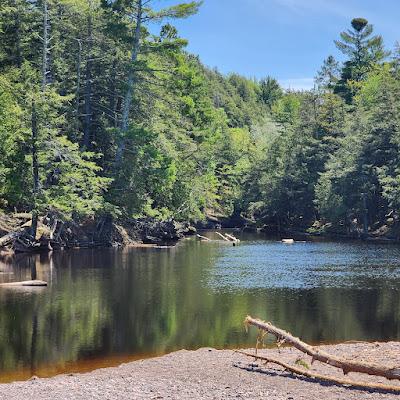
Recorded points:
(287, 39)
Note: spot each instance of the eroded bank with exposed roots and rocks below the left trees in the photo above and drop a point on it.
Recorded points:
(54, 233)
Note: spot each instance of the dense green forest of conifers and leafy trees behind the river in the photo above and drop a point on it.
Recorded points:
(104, 112)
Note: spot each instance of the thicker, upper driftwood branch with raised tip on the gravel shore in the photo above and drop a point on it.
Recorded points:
(345, 365)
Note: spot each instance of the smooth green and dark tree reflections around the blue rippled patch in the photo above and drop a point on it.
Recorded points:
(140, 300)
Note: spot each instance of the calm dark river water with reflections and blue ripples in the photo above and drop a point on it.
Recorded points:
(103, 307)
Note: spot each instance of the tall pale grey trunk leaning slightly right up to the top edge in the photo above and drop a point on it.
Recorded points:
(131, 82)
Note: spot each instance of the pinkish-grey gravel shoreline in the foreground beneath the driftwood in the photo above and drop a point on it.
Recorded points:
(210, 374)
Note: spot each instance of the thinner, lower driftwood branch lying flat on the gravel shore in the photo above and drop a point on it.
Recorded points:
(299, 371)
